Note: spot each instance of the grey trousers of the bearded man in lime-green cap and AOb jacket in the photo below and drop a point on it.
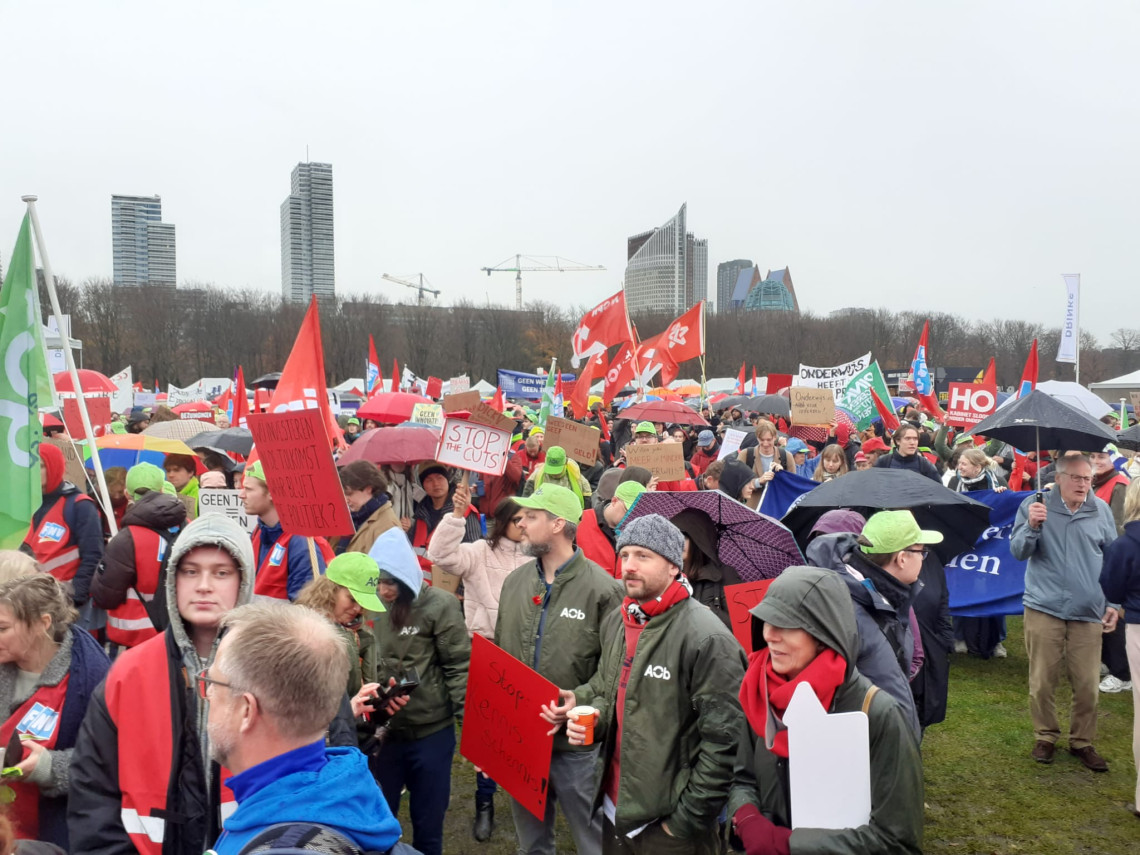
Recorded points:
(573, 787)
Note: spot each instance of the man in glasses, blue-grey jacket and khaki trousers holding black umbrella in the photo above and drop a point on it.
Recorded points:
(1062, 536)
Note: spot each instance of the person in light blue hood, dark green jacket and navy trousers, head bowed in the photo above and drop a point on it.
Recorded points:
(420, 636)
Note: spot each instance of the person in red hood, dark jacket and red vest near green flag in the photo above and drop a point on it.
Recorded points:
(67, 534)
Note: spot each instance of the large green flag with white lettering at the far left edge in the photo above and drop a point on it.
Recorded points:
(25, 384)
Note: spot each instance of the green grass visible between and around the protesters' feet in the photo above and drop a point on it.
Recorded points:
(983, 792)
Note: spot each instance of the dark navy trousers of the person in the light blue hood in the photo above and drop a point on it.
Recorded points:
(425, 767)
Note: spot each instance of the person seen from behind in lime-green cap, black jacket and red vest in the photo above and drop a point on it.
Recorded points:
(128, 577)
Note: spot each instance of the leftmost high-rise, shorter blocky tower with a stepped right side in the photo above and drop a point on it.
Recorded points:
(142, 245)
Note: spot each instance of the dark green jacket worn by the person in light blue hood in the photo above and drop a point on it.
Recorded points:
(436, 644)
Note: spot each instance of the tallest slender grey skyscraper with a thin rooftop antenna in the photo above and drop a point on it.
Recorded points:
(307, 234)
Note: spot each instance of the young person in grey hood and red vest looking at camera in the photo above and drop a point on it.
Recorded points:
(142, 775)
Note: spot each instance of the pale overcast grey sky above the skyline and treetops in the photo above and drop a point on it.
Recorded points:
(954, 157)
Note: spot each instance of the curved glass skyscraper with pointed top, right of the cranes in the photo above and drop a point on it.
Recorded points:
(667, 268)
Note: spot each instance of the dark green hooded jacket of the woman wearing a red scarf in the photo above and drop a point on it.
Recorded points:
(819, 604)
